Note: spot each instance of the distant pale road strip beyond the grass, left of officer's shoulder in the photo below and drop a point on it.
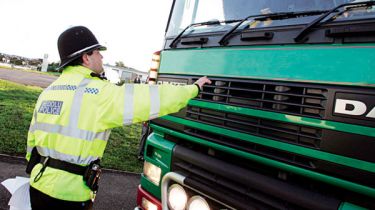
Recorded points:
(27, 78)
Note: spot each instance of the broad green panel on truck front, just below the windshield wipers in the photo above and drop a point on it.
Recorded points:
(350, 64)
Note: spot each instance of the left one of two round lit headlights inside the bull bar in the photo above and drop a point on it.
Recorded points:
(177, 197)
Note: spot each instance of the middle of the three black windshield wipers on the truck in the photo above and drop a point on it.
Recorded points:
(273, 16)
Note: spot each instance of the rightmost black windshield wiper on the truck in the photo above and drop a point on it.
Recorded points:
(307, 29)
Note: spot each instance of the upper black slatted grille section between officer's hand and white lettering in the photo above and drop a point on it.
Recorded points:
(278, 97)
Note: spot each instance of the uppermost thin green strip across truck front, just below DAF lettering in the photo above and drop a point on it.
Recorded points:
(350, 128)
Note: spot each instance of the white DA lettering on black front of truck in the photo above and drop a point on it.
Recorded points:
(354, 108)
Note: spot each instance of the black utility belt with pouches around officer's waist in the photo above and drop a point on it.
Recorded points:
(91, 173)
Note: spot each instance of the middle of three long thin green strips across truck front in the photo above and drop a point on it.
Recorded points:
(354, 163)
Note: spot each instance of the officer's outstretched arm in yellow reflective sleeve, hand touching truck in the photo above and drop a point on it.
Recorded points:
(132, 103)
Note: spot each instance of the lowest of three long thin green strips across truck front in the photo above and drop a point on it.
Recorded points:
(303, 172)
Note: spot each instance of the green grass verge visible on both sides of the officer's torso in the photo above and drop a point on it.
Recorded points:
(16, 106)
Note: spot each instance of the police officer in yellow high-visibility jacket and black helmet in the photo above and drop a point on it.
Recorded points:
(74, 116)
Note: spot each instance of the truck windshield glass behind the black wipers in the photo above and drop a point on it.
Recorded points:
(186, 12)
